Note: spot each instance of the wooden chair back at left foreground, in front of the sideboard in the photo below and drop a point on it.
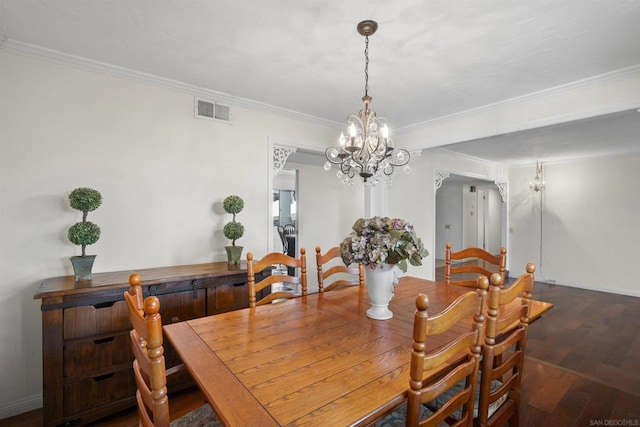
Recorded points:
(148, 365)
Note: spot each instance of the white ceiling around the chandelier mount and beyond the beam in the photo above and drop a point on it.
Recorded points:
(427, 59)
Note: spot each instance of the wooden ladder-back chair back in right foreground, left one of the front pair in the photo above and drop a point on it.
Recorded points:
(434, 373)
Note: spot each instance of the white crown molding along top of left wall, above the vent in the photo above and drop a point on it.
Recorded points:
(78, 62)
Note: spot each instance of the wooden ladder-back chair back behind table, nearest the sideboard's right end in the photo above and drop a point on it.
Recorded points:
(255, 267)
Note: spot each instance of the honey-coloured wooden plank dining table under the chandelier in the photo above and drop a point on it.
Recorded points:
(316, 360)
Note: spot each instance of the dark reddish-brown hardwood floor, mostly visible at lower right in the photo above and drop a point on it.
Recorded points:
(582, 366)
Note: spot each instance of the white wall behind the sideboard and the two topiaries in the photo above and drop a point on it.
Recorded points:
(162, 173)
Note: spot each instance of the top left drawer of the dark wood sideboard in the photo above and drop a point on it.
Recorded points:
(95, 319)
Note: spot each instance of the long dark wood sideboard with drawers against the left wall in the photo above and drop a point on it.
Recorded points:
(86, 356)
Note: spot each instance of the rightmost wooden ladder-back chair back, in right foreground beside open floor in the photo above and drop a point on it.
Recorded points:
(504, 349)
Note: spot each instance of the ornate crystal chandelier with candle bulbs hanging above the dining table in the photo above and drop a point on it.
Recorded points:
(367, 148)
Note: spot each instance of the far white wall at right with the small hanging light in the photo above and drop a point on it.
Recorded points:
(590, 229)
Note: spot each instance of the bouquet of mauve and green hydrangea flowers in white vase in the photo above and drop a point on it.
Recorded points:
(377, 241)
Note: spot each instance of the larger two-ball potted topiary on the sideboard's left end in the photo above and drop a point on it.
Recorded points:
(84, 233)
